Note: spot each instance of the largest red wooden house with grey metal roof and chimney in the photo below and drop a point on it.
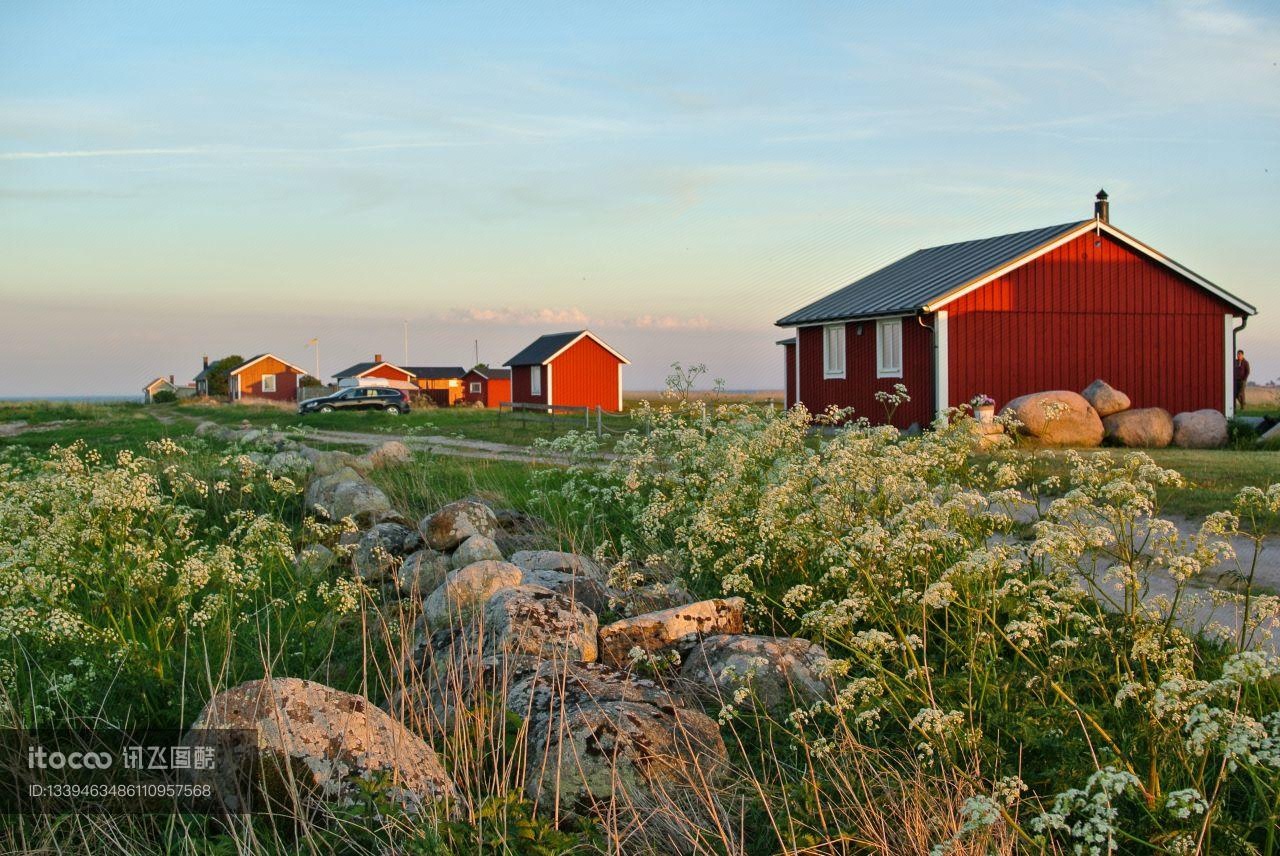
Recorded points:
(1048, 309)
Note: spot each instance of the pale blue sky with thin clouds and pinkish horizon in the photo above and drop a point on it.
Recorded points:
(180, 180)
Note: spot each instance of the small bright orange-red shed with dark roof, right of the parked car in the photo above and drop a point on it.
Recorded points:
(569, 370)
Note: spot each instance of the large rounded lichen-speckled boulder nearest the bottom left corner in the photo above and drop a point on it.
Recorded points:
(298, 736)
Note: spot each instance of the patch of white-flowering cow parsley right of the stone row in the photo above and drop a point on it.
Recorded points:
(982, 626)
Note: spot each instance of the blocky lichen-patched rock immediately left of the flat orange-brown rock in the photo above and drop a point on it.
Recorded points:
(538, 622)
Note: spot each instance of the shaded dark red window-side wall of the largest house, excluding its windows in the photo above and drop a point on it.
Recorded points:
(861, 384)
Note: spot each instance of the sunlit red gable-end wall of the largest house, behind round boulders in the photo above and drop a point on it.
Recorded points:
(1090, 309)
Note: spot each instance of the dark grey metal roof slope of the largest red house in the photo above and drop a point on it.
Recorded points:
(916, 281)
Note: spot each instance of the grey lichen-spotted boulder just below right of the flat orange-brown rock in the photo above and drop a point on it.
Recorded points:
(779, 671)
